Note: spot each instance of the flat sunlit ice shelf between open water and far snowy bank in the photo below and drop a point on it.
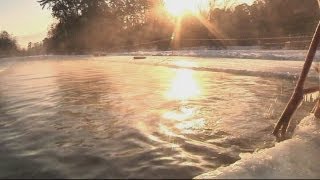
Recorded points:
(254, 67)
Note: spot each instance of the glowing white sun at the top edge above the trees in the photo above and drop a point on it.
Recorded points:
(181, 7)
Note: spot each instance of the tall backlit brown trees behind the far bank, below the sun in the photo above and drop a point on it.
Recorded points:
(85, 26)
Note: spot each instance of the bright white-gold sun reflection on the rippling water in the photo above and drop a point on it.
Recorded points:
(185, 118)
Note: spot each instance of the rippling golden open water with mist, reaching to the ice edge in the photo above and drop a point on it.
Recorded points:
(98, 119)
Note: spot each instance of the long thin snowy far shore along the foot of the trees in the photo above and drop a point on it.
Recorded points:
(292, 55)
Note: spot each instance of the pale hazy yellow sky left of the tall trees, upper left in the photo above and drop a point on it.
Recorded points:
(25, 19)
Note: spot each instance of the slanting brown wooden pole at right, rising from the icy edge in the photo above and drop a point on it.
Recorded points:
(282, 125)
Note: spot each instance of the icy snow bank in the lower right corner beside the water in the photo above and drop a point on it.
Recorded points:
(295, 158)
